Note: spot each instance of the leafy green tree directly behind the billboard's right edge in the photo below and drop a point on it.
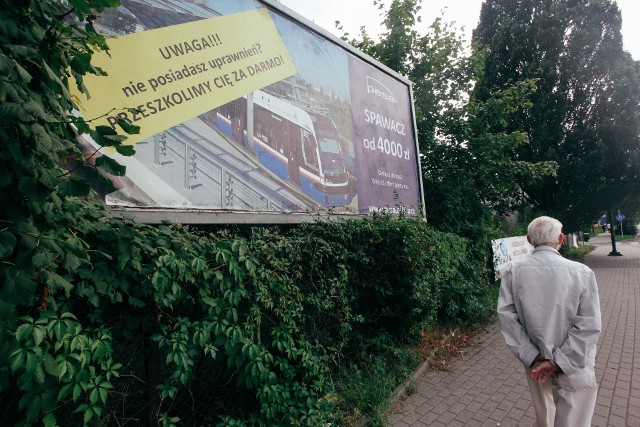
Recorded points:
(467, 151)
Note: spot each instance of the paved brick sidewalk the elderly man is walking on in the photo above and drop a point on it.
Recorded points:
(487, 386)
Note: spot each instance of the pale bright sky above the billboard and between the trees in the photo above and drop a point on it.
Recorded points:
(354, 14)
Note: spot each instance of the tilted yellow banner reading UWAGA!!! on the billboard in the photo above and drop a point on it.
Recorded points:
(172, 74)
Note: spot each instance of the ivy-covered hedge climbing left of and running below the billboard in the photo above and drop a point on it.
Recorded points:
(106, 321)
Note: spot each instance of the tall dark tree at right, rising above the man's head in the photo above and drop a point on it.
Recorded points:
(584, 114)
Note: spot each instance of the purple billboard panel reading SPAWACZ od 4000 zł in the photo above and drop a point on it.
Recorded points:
(383, 139)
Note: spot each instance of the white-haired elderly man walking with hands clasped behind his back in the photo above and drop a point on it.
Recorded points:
(549, 314)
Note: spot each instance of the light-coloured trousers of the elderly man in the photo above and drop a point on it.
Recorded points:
(567, 402)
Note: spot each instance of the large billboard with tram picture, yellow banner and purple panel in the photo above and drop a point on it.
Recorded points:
(245, 108)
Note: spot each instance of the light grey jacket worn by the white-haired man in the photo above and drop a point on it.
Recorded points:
(550, 305)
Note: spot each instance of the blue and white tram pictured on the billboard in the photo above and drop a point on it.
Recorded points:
(299, 146)
